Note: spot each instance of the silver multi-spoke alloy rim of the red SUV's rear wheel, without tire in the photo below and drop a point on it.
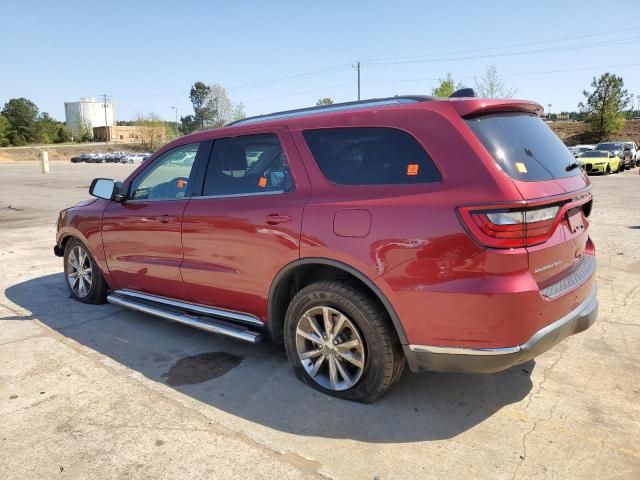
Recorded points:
(330, 348)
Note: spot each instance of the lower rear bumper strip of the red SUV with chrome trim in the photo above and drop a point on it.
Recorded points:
(490, 360)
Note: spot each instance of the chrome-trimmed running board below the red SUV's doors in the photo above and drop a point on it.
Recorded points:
(173, 313)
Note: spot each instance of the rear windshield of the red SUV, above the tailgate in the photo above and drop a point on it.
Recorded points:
(524, 147)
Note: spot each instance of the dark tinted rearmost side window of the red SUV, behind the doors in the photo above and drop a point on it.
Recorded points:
(370, 156)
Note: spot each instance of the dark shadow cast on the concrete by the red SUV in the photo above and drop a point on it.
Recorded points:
(256, 383)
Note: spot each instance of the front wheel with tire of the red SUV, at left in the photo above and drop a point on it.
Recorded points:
(82, 275)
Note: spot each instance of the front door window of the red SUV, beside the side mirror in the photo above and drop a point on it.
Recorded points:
(167, 178)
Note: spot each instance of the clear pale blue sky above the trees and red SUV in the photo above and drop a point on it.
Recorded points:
(278, 55)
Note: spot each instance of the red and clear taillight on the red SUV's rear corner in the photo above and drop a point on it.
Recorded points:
(510, 227)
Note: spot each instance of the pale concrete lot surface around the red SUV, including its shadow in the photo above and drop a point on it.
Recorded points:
(103, 392)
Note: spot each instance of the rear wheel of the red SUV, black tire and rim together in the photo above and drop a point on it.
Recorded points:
(340, 342)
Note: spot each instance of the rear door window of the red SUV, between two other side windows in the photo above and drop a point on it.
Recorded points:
(245, 165)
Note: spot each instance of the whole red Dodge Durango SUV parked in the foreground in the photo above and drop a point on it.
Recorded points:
(450, 234)
